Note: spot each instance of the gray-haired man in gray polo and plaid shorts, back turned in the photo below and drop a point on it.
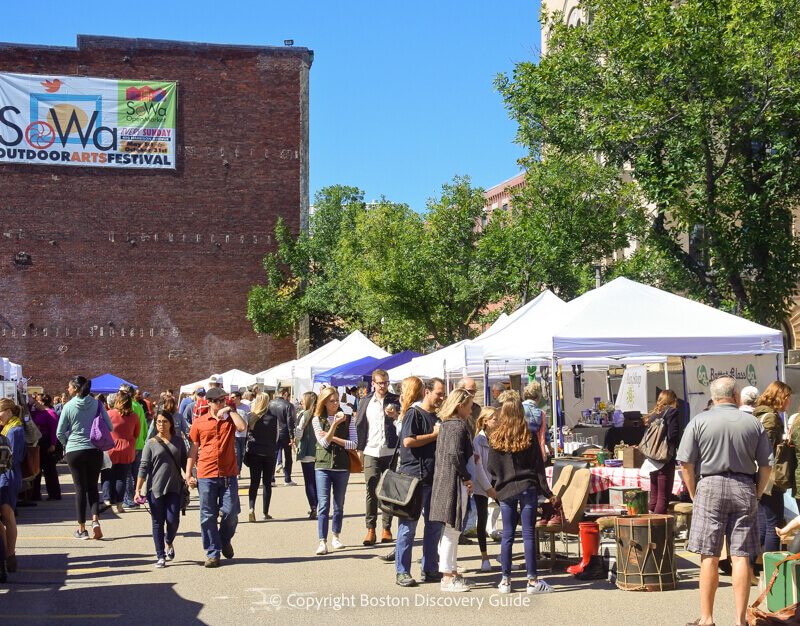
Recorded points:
(726, 460)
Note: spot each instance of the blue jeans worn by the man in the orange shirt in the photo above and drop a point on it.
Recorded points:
(218, 494)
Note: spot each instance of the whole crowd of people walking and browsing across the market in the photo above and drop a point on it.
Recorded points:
(463, 456)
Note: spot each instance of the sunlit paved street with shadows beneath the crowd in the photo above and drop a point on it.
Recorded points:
(275, 577)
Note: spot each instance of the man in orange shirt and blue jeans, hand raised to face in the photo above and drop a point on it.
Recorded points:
(214, 432)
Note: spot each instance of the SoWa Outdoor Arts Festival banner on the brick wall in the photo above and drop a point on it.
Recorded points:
(95, 122)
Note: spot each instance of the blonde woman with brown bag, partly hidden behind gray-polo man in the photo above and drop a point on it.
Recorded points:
(775, 400)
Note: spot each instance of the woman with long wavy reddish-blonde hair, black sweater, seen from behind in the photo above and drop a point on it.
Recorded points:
(516, 464)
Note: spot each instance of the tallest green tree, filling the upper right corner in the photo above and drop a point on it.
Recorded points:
(699, 100)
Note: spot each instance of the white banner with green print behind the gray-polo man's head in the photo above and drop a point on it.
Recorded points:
(748, 370)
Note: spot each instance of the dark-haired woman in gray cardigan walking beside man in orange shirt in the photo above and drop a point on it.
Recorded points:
(163, 457)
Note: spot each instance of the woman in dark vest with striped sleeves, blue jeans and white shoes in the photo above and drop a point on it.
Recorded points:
(336, 434)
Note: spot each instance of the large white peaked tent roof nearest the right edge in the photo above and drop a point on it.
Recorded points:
(627, 319)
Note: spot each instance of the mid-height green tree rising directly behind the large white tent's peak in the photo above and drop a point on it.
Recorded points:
(572, 213)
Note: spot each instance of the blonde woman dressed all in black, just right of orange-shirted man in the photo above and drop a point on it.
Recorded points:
(261, 454)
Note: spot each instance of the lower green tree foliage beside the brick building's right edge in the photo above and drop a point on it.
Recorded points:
(409, 280)
